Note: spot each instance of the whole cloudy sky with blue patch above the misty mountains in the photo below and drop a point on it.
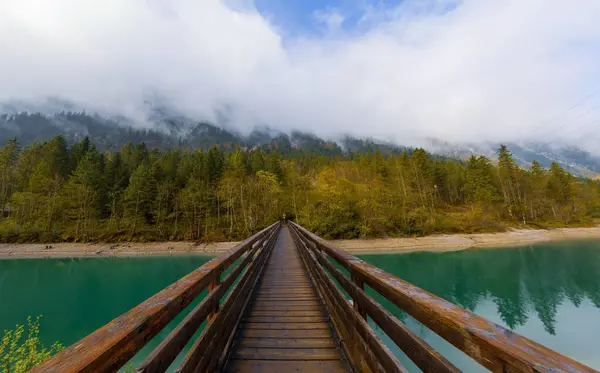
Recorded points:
(395, 70)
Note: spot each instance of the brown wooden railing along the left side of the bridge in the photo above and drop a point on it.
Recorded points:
(113, 345)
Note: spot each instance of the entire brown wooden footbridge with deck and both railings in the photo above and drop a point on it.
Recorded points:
(285, 300)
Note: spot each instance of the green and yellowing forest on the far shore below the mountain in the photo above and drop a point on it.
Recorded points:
(55, 191)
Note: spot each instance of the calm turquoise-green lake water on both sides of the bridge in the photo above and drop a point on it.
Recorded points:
(548, 292)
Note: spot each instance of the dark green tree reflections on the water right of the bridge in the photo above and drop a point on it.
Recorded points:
(518, 280)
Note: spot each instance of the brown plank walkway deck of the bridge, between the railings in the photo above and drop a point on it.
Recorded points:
(286, 327)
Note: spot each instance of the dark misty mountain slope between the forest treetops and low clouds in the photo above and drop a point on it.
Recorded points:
(165, 130)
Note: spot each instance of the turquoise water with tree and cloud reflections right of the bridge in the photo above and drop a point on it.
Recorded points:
(549, 293)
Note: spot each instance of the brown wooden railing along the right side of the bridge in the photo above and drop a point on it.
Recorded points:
(491, 345)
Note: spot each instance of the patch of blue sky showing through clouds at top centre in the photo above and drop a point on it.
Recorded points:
(298, 17)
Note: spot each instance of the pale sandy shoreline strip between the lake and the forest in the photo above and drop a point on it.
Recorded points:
(434, 243)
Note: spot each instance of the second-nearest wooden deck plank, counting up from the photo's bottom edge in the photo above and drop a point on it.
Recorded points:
(306, 354)
